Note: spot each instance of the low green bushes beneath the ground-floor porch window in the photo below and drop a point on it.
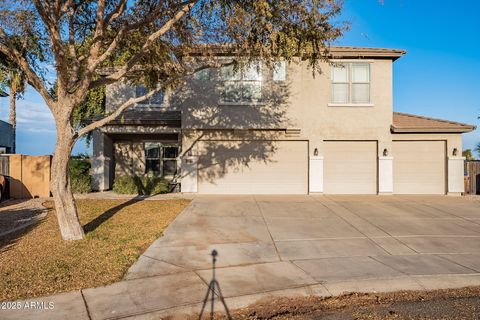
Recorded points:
(142, 185)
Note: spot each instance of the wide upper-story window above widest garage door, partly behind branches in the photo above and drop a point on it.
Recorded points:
(243, 85)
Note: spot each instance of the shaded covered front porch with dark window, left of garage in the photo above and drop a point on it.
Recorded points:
(136, 145)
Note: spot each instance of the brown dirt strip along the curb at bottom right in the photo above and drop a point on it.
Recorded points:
(439, 304)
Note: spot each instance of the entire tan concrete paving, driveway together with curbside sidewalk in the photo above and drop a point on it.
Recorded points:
(288, 246)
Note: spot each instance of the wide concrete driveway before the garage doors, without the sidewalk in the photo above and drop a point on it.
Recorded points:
(327, 237)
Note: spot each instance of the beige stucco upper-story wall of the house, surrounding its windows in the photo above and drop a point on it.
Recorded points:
(299, 102)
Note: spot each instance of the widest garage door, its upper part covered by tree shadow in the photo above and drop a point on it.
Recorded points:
(253, 167)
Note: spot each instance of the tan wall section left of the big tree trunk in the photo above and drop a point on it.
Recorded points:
(29, 176)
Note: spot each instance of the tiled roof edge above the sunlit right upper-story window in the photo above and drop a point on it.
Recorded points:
(362, 52)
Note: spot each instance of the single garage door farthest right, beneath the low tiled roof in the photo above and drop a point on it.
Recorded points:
(419, 167)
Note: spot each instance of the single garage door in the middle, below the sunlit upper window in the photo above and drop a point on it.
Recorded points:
(350, 167)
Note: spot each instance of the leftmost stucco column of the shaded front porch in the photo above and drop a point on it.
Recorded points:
(102, 162)
